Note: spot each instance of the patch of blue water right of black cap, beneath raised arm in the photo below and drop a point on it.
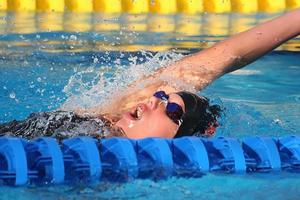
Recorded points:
(269, 88)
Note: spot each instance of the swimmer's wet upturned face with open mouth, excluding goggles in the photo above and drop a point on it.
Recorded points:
(150, 119)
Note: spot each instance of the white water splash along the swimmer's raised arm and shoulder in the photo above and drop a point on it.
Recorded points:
(94, 86)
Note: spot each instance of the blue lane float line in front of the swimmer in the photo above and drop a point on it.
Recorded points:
(45, 161)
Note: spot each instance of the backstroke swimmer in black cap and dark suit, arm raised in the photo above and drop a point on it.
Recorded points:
(164, 109)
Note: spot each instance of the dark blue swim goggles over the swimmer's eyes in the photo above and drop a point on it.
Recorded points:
(173, 110)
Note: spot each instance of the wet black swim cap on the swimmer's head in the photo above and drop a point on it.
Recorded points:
(199, 116)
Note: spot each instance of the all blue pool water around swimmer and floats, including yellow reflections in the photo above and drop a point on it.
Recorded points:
(265, 95)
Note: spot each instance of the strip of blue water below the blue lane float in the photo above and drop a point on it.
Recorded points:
(212, 186)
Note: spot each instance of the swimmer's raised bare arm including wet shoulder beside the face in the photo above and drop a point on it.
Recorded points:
(196, 71)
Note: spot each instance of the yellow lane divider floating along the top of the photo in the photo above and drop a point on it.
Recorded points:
(150, 6)
